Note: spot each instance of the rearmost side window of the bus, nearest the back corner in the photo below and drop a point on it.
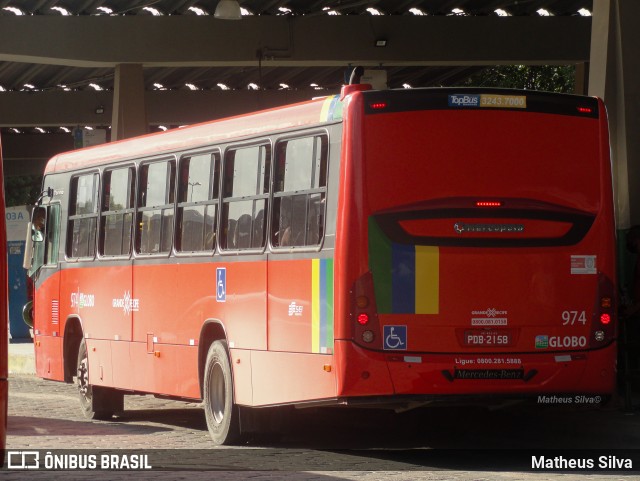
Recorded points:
(300, 191)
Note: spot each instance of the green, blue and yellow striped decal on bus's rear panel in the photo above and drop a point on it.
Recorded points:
(406, 277)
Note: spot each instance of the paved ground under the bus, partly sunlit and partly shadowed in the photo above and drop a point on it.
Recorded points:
(436, 444)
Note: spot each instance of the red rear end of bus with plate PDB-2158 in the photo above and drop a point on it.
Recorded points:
(483, 304)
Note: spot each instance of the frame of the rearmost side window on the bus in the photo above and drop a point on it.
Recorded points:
(281, 250)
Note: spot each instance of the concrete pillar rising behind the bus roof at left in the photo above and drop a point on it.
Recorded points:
(129, 110)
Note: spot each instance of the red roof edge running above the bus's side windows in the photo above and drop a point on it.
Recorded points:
(208, 133)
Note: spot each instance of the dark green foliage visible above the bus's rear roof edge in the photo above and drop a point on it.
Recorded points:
(549, 78)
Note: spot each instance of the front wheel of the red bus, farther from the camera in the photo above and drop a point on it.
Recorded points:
(96, 402)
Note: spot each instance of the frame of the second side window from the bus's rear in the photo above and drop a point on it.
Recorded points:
(267, 143)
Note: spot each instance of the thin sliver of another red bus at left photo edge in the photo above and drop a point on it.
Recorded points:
(4, 319)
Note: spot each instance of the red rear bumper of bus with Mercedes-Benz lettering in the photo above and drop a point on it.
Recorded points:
(521, 374)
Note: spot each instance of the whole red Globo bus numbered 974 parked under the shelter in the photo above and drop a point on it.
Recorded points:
(381, 248)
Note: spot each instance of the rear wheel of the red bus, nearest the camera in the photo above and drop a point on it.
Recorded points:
(222, 415)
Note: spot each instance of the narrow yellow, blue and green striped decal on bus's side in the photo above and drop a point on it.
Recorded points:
(322, 306)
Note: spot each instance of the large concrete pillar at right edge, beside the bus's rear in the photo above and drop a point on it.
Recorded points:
(615, 76)
